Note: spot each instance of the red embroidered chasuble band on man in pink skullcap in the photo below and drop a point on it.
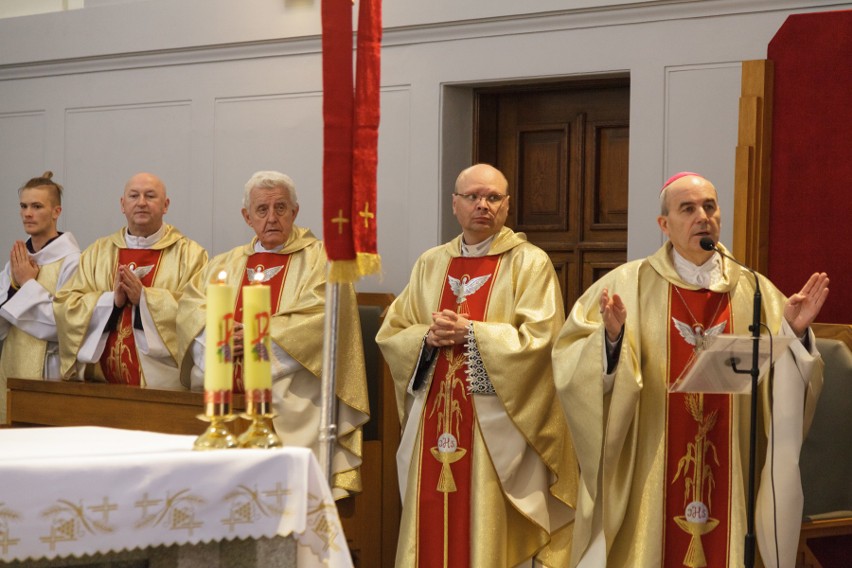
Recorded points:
(698, 444)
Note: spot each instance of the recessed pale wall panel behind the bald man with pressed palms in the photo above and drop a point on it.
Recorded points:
(106, 145)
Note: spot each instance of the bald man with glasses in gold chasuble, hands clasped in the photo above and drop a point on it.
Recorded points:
(486, 464)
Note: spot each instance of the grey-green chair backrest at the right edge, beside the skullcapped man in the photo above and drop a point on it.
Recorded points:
(826, 458)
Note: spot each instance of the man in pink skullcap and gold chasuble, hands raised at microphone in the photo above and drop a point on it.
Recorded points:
(664, 475)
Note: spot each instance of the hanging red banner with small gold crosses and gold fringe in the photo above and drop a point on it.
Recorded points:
(350, 137)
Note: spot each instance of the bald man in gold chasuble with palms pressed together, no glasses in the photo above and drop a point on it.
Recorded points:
(116, 317)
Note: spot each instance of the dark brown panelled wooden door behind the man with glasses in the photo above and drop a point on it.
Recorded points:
(564, 149)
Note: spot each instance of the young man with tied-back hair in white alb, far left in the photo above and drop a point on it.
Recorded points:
(36, 269)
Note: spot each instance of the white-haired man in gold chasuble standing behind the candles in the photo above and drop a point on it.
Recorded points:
(293, 264)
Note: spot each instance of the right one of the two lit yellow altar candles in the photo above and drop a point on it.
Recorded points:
(257, 370)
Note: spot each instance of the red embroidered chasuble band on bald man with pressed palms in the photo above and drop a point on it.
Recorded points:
(120, 361)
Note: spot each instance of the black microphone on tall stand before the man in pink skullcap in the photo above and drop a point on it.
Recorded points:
(750, 542)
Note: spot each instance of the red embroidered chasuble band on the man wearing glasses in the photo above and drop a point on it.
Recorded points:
(447, 434)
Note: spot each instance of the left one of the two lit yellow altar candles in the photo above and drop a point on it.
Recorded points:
(218, 356)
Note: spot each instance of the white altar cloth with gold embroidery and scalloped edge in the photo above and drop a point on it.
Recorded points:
(87, 490)
